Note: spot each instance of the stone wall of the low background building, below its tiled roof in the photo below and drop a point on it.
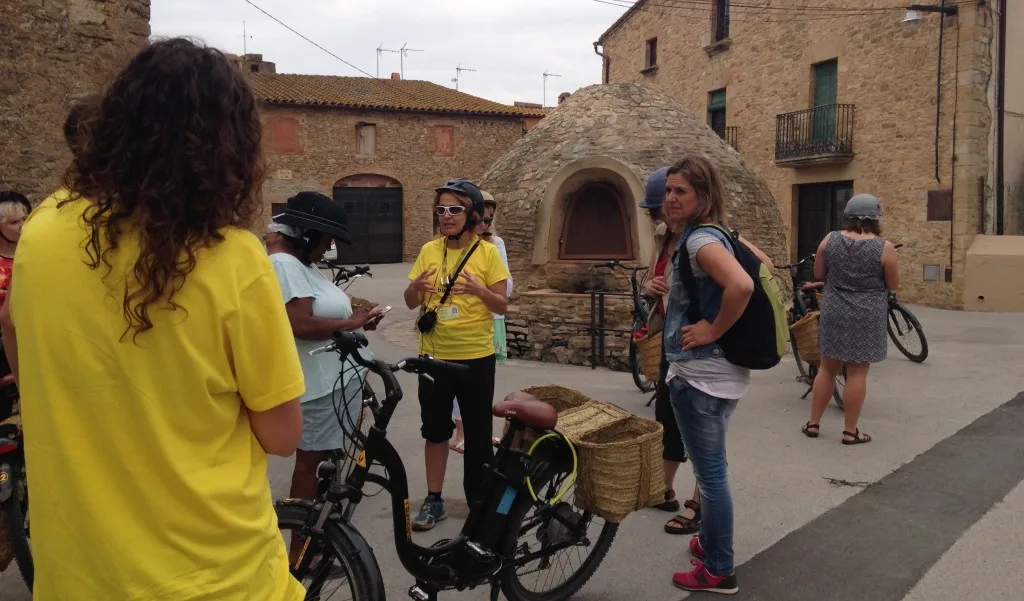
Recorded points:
(313, 149)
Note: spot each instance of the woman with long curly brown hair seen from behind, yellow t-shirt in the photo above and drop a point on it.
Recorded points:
(154, 356)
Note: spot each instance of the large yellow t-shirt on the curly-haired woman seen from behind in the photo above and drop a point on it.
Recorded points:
(147, 483)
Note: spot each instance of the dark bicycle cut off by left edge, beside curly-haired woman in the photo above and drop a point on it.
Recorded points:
(15, 488)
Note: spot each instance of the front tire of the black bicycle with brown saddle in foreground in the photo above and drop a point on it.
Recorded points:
(354, 555)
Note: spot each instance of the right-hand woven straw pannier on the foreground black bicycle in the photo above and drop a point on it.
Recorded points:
(621, 468)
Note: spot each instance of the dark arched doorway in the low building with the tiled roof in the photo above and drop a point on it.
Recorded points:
(374, 205)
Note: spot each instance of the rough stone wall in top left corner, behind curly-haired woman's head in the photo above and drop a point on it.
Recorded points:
(55, 52)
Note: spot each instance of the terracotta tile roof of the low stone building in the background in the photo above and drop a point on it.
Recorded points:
(382, 95)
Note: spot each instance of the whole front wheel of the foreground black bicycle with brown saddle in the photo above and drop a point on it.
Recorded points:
(338, 571)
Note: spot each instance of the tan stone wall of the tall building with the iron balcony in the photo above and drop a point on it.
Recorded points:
(888, 69)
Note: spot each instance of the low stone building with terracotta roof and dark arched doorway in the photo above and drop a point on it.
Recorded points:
(379, 147)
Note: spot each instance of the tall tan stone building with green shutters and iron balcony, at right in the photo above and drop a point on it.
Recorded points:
(827, 102)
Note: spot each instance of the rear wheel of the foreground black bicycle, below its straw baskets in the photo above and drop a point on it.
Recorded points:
(533, 532)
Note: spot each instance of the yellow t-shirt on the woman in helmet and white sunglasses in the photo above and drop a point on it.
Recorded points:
(465, 327)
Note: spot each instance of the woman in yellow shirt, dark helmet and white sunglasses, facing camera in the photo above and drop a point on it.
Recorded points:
(458, 282)
